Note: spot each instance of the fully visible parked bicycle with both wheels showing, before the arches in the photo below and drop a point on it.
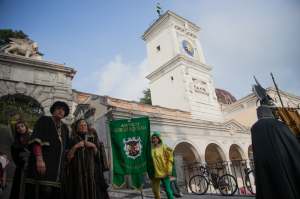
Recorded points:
(227, 184)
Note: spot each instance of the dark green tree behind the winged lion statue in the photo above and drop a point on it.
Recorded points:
(5, 34)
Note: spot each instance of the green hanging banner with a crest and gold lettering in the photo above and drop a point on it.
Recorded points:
(131, 150)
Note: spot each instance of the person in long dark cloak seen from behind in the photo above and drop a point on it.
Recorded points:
(276, 155)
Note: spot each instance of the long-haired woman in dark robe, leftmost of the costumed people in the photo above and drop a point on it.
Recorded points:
(19, 154)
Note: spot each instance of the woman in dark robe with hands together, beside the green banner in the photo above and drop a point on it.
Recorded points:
(88, 164)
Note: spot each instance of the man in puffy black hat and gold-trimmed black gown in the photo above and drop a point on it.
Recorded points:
(47, 161)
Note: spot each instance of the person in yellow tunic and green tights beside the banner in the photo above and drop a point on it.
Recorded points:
(163, 161)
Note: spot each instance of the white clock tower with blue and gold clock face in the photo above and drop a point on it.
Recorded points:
(179, 77)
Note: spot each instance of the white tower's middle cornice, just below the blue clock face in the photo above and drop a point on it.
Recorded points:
(174, 62)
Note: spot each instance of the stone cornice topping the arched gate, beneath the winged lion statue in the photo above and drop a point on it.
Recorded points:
(37, 63)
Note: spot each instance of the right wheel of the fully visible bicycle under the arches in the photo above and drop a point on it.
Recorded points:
(227, 185)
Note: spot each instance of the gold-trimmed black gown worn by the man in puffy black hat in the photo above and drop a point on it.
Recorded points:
(53, 139)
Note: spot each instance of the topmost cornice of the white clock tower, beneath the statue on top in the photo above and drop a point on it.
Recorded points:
(165, 19)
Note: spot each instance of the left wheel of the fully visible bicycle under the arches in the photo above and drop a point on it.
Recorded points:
(198, 184)
